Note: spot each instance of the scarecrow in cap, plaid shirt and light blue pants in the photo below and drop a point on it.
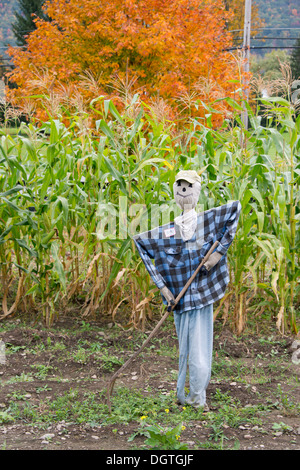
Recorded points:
(177, 249)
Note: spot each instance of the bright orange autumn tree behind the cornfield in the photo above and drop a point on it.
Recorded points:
(174, 50)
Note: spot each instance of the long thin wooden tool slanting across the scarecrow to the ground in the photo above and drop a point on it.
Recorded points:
(157, 327)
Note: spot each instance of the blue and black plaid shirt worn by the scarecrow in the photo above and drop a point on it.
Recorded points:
(175, 260)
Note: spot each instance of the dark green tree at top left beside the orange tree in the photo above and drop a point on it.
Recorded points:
(24, 24)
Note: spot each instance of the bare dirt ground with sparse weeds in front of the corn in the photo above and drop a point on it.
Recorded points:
(41, 365)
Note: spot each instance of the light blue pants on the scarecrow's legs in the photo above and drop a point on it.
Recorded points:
(195, 336)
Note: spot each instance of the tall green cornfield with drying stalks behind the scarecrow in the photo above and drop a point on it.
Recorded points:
(71, 195)
